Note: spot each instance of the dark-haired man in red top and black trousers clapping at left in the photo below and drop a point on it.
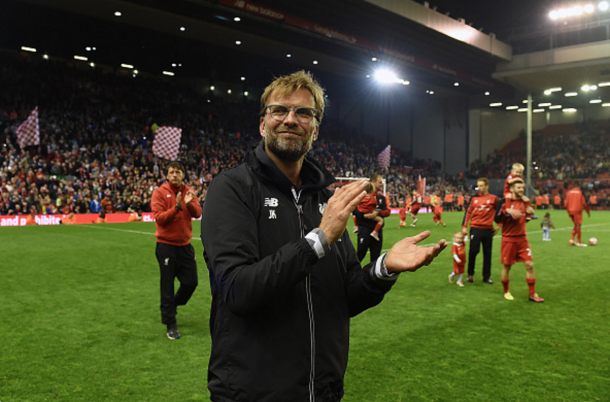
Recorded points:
(174, 204)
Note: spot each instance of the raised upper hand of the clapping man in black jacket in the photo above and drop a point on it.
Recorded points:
(339, 209)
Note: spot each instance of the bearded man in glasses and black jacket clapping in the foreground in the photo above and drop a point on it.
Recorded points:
(284, 275)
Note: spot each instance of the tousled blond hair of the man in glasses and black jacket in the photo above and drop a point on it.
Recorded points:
(287, 84)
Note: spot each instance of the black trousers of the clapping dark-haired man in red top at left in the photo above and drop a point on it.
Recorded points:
(176, 262)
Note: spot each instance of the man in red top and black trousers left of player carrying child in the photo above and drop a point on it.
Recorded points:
(480, 212)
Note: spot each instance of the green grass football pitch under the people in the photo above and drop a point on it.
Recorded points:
(80, 321)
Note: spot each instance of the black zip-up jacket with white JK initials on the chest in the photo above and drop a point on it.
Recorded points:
(280, 316)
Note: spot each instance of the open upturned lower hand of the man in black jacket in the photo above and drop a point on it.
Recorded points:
(405, 255)
